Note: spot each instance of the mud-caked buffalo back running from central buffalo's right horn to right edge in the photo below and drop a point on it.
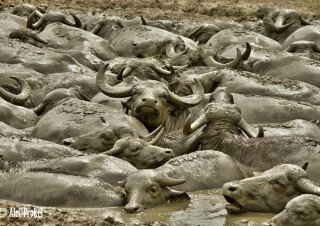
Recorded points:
(244, 82)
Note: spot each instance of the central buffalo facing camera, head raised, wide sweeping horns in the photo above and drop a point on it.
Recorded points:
(152, 102)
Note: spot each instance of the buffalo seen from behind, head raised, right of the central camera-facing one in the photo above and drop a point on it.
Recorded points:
(222, 120)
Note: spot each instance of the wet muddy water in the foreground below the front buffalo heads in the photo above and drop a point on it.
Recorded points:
(205, 208)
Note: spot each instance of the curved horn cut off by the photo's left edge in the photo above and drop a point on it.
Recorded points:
(19, 99)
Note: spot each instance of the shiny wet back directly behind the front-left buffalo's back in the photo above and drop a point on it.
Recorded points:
(104, 167)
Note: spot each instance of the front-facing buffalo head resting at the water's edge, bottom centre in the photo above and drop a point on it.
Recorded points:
(149, 188)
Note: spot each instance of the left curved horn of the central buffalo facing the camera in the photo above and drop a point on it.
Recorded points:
(108, 90)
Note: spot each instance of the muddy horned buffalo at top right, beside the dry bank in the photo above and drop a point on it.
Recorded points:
(281, 23)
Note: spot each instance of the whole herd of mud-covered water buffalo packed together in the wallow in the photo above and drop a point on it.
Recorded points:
(100, 111)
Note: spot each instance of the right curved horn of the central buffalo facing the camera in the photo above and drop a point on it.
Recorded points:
(191, 100)
